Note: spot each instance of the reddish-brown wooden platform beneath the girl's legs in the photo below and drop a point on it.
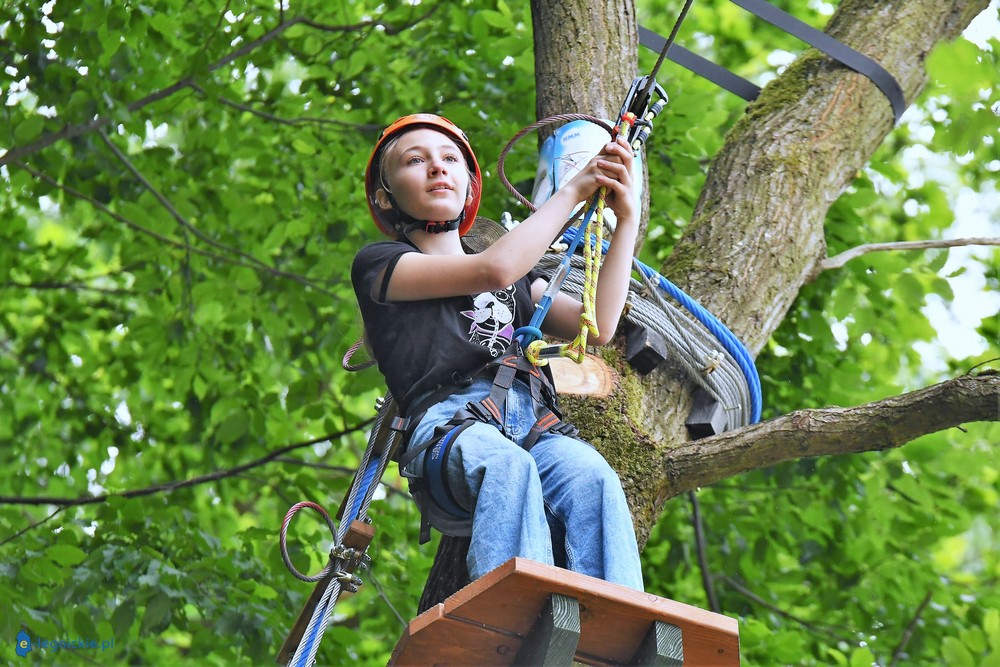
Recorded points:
(487, 622)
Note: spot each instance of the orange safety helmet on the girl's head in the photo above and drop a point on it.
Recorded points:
(387, 221)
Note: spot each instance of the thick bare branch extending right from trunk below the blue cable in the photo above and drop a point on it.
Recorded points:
(884, 424)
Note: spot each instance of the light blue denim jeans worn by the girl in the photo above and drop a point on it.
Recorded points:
(559, 504)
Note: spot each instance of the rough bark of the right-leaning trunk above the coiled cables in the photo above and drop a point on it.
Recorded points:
(757, 230)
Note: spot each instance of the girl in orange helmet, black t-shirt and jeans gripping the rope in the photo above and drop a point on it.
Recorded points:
(486, 454)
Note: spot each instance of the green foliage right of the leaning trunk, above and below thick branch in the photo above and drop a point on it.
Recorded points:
(856, 549)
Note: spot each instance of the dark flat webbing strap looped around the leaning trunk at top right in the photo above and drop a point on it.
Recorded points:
(832, 47)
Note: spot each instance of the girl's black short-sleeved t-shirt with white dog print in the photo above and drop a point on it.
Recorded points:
(421, 345)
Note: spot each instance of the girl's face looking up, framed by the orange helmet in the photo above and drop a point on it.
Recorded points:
(427, 175)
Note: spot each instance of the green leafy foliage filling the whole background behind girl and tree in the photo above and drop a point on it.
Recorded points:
(175, 301)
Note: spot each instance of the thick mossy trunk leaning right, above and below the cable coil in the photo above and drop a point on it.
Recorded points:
(757, 231)
